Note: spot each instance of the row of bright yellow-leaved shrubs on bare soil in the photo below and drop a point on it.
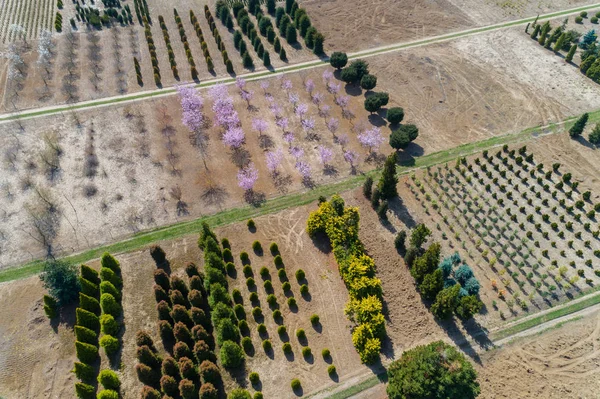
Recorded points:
(340, 225)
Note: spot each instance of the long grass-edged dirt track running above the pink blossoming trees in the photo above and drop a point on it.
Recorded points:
(157, 93)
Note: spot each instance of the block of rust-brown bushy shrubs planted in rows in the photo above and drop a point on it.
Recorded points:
(182, 320)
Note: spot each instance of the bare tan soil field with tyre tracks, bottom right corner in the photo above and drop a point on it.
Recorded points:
(557, 363)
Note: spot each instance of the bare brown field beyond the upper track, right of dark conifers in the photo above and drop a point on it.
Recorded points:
(361, 25)
